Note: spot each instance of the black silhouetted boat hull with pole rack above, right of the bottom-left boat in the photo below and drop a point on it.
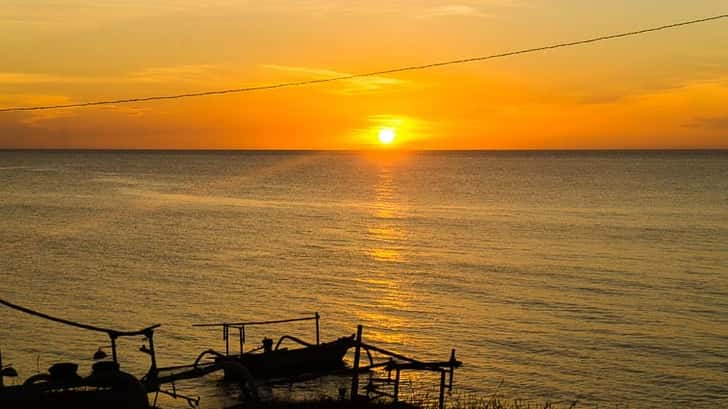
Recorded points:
(273, 362)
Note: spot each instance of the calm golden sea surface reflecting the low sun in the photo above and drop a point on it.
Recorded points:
(600, 277)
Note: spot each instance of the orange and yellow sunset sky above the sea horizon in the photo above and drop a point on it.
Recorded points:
(660, 90)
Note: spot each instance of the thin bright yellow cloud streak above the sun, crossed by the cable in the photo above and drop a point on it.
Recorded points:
(351, 86)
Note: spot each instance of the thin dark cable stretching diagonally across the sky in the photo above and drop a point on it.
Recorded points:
(368, 74)
